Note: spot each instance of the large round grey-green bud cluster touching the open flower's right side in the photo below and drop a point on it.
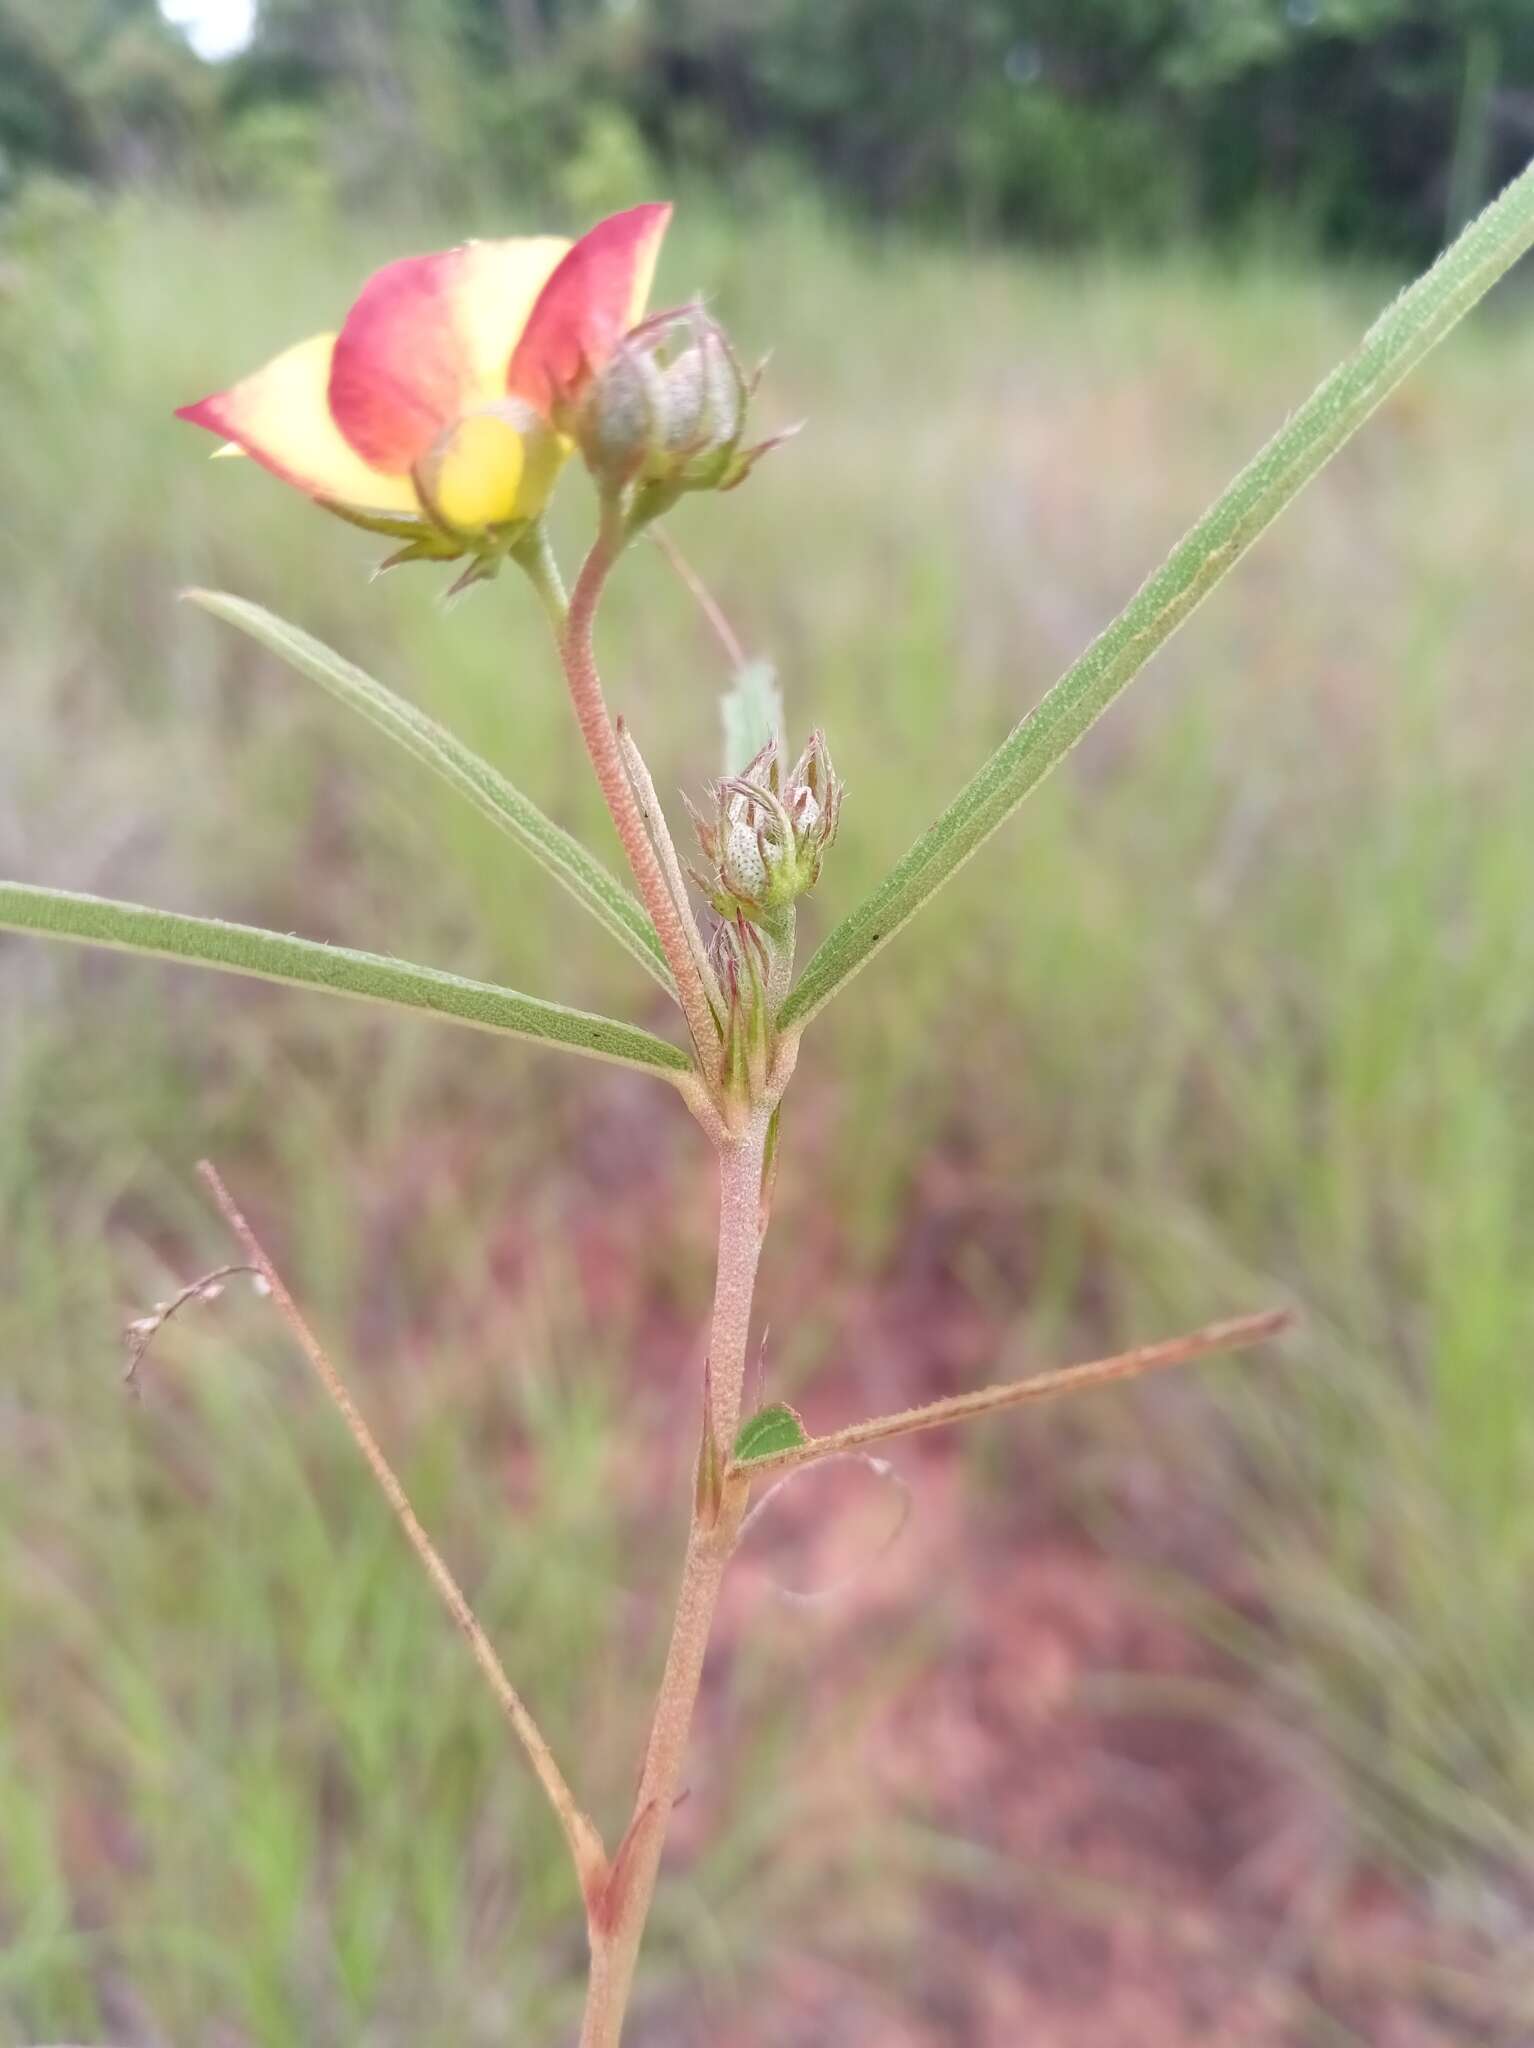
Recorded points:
(669, 411)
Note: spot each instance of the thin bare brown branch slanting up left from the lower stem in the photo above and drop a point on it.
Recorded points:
(581, 1834)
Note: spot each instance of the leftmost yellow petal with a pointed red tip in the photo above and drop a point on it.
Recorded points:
(282, 417)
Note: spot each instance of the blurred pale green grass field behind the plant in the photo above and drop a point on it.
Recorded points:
(1240, 1011)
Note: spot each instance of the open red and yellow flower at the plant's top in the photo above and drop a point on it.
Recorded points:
(445, 407)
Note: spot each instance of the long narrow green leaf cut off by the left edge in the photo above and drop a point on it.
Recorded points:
(245, 949)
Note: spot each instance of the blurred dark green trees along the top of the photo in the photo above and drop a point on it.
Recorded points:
(1355, 124)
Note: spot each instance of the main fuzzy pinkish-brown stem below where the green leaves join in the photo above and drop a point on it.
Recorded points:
(620, 1910)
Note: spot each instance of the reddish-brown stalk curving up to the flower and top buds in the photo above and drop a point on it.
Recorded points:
(613, 779)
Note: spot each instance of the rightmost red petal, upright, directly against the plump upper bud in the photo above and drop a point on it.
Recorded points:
(591, 302)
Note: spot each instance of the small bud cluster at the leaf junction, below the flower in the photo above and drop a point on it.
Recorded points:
(767, 837)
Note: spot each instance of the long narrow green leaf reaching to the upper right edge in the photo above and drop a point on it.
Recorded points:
(1398, 341)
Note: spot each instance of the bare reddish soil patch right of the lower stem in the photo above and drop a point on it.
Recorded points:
(1111, 1842)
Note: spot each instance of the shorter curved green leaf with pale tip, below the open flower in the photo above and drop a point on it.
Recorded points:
(486, 787)
